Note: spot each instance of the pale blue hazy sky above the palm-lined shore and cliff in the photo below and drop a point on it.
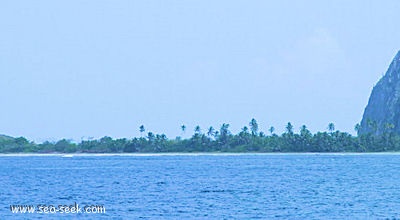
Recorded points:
(91, 68)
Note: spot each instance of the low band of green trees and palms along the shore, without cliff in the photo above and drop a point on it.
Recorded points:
(249, 139)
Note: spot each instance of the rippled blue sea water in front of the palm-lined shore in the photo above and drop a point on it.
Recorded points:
(273, 186)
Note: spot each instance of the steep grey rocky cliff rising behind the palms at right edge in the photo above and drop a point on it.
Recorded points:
(382, 113)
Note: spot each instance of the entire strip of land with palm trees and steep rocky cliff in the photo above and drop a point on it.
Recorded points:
(379, 131)
